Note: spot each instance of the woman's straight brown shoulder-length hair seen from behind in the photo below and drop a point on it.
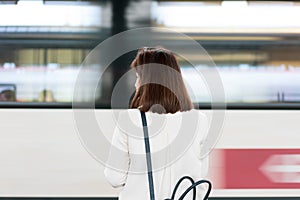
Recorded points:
(161, 87)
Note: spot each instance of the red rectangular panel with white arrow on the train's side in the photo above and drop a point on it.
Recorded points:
(261, 168)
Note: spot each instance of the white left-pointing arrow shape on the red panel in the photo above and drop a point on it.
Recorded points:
(282, 168)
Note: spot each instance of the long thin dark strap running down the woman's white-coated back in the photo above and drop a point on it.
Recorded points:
(148, 155)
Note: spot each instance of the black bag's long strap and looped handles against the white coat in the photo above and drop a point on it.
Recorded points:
(150, 176)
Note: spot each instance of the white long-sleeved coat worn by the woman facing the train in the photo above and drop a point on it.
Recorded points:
(175, 146)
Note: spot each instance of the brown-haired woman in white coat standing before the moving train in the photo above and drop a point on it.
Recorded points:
(175, 146)
